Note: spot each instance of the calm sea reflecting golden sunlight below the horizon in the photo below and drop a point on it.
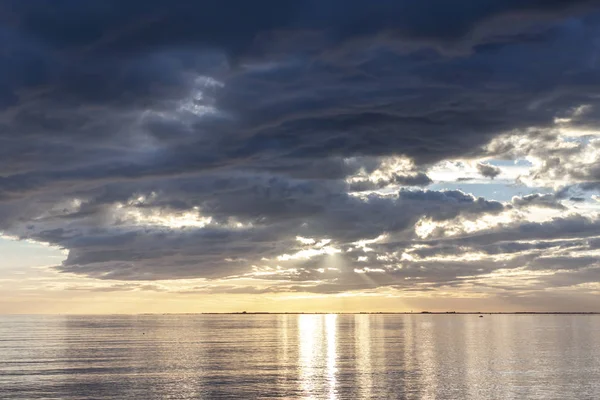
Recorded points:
(300, 356)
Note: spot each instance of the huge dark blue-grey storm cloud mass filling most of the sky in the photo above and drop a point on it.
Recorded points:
(253, 115)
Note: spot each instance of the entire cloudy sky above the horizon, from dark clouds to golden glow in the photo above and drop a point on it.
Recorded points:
(318, 155)
